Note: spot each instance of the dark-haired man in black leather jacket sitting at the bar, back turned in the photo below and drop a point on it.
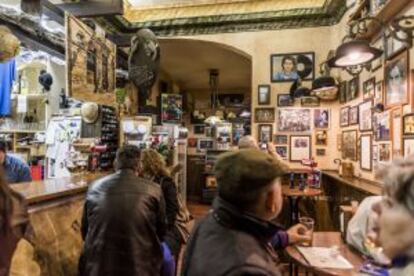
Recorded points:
(123, 222)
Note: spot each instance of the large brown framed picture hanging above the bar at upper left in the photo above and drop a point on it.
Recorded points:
(91, 63)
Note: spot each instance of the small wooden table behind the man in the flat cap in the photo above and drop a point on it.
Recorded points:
(294, 195)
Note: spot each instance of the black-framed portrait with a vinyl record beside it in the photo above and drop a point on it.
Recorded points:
(292, 66)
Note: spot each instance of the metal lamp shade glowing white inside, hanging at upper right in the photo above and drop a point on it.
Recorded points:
(354, 52)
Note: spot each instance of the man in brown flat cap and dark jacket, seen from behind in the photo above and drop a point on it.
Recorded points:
(236, 237)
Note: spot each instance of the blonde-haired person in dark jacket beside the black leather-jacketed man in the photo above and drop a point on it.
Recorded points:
(154, 168)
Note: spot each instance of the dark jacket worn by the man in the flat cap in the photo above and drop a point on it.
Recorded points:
(228, 242)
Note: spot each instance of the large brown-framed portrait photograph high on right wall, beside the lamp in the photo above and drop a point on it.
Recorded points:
(396, 80)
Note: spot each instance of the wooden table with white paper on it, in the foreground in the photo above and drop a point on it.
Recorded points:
(328, 239)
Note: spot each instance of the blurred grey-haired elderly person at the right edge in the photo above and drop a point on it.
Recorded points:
(395, 225)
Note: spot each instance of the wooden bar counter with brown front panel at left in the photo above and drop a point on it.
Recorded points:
(55, 209)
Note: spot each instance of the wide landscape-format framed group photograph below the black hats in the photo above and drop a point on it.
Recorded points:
(294, 120)
